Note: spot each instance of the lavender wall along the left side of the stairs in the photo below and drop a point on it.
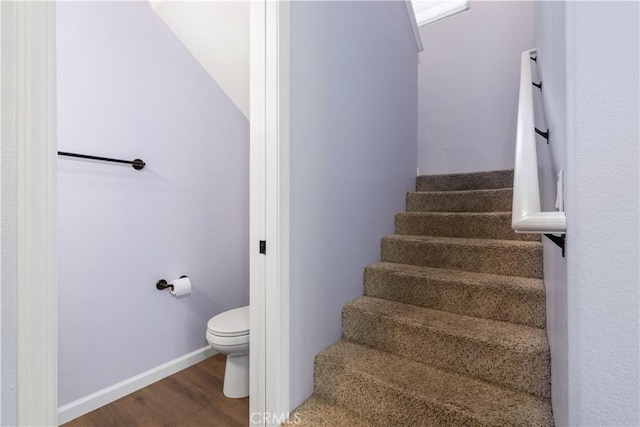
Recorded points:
(353, 145)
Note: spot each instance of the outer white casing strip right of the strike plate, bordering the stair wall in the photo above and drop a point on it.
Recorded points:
(277, 205)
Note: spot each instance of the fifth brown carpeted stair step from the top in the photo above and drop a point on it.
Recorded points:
(513, 299)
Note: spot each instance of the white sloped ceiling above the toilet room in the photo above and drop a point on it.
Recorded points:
(217, 34)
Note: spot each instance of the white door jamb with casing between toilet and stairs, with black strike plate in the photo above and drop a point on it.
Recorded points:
(269, 356)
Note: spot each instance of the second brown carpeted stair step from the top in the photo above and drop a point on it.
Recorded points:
(490, 200)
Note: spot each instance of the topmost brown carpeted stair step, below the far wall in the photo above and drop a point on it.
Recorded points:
(465, 181)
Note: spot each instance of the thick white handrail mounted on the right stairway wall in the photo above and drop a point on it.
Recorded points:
(526, 216)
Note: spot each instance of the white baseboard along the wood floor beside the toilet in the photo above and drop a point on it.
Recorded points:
(107, 395)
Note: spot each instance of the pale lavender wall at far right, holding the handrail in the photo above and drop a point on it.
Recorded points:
(589, 63)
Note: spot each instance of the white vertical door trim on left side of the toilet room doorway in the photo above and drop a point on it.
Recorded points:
(37, 292)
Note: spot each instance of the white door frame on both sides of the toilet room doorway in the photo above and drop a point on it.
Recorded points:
(33, 32)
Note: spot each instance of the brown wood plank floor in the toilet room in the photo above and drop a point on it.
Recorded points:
(192, 397)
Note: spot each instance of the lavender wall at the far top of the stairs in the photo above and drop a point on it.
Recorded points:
(468, 87)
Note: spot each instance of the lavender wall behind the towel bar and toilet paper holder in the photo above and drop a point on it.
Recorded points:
(128, 88)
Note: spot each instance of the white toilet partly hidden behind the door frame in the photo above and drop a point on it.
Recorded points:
(228, 333)
